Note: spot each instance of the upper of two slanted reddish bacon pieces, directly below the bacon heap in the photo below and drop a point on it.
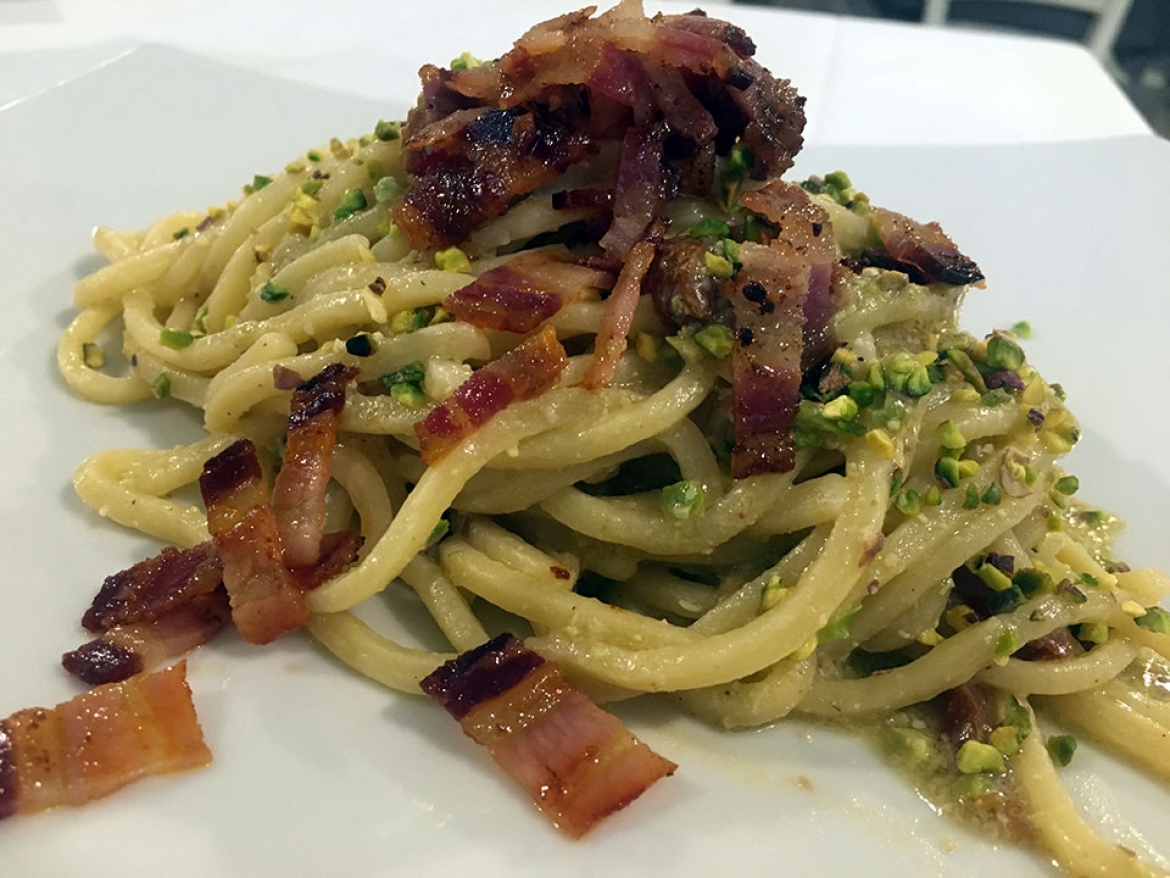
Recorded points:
(525, 292)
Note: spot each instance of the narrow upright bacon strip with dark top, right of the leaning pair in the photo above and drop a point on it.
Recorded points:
(299, 497)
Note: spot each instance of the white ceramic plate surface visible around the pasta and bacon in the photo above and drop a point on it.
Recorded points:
(318, 772)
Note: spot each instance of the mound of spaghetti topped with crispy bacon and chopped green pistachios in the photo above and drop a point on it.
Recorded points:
(886, 538)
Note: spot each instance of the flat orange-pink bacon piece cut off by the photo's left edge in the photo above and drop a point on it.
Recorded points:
(99, 742)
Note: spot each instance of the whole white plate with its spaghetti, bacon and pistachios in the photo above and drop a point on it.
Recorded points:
(588, 349)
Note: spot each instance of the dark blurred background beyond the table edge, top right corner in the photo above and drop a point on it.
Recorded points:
(1131, 38)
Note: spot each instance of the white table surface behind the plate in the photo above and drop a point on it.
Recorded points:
(868, 83)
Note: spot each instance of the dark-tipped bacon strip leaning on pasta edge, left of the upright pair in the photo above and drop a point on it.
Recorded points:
(266, 601)
